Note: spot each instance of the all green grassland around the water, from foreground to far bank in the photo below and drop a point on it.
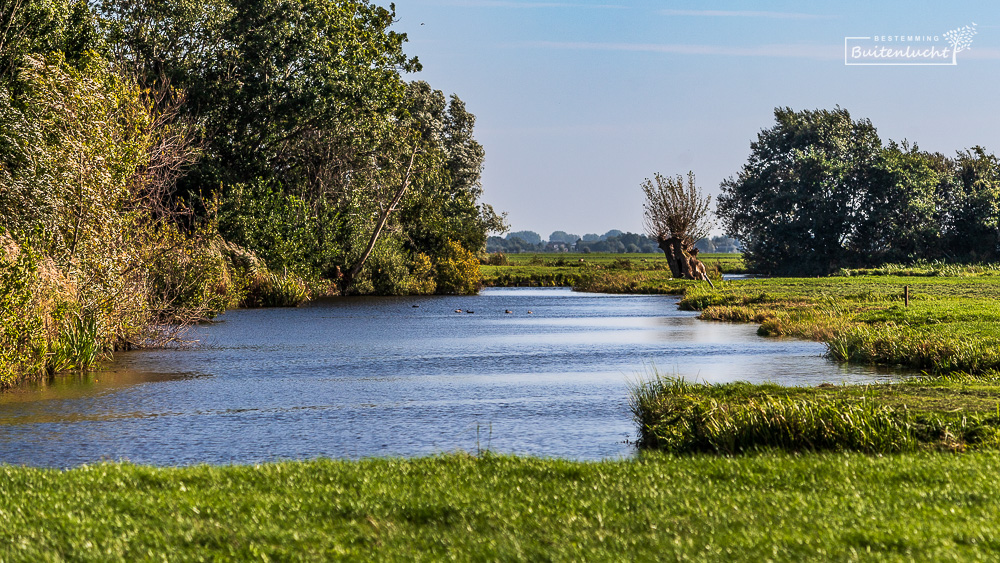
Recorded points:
(900, 471)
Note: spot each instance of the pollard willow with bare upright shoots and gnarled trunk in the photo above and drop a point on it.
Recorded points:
(676, 215)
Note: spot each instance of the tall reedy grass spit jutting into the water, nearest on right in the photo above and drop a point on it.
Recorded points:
(946, 414)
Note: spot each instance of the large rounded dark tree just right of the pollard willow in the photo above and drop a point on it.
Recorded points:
(794, 203)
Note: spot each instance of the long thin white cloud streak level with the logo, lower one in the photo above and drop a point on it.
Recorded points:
(801, 51)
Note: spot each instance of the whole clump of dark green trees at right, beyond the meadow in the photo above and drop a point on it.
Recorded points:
(821, 191)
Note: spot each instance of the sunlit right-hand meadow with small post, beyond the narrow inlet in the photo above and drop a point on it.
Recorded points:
(951, 323)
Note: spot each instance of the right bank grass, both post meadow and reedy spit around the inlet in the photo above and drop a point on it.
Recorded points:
(941, 320)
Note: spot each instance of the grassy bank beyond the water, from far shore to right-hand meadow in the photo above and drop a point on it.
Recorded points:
(939, 318)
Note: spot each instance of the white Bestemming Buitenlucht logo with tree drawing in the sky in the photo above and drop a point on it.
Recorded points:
(918, 50)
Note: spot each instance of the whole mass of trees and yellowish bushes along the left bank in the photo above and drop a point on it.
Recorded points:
(161, 160)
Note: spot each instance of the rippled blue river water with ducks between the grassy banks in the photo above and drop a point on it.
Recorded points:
(363, 377)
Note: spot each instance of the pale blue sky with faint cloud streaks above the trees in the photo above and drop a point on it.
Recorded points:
(578, 101)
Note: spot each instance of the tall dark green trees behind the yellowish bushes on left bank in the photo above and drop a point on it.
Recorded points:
(314, 144)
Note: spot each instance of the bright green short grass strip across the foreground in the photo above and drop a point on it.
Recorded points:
(751, 508)
